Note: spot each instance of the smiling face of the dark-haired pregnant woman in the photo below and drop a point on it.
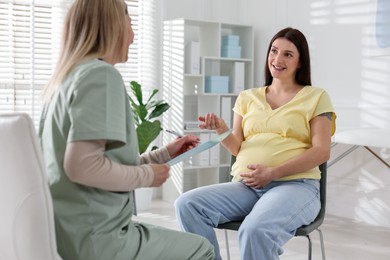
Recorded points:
(283, 59)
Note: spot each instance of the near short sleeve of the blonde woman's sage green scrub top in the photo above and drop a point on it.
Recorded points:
(97, 106)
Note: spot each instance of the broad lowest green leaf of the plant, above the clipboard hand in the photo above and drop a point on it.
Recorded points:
(147, 131)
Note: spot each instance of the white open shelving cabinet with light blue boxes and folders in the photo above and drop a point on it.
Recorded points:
(205, 66)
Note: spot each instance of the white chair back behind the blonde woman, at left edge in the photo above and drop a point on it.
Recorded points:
(26, 219)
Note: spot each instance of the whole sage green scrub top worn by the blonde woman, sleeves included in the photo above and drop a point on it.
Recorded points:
(91, 104)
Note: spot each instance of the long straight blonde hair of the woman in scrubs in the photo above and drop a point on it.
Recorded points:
(93, 29)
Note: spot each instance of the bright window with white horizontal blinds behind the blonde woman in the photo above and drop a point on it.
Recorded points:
(30, 34)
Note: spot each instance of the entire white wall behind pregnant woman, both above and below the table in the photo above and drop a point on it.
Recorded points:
(340, 35)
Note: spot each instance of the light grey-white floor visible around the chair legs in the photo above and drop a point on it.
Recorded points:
(344, 239)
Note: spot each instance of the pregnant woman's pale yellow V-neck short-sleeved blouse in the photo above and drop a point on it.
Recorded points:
(273, 136)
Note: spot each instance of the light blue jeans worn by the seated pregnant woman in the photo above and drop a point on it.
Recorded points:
(271, 214)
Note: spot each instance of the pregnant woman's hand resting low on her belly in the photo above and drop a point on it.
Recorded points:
(257, 176)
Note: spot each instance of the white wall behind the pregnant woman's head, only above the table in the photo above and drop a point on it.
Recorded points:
(341, 47)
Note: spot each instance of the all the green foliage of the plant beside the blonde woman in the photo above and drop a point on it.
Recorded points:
(144, 113)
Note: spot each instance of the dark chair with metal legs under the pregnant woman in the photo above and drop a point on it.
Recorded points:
(302, 231)
